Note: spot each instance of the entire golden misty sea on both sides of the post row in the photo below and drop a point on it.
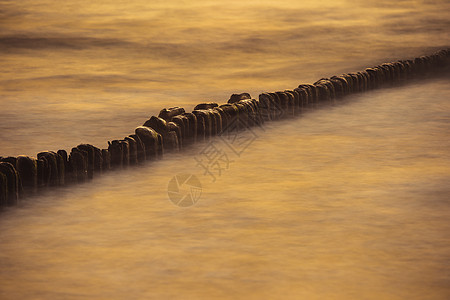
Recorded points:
(349, 201)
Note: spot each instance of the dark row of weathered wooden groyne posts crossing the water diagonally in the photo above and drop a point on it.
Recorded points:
(175, 128)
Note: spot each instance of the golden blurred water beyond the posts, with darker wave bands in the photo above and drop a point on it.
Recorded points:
(89, 71)
